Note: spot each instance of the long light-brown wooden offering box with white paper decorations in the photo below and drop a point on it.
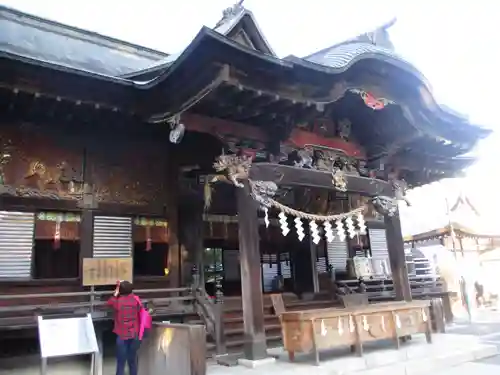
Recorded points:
(316, 330)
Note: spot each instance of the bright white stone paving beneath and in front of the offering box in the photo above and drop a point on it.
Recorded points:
(413, 358)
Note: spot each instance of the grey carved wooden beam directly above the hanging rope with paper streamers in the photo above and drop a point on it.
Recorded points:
(292, 176)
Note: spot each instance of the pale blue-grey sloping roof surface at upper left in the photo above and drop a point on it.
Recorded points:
(48, 41)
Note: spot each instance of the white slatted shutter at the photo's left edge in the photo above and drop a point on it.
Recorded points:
(16, 243)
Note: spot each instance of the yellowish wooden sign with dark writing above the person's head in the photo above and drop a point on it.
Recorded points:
(106, 271)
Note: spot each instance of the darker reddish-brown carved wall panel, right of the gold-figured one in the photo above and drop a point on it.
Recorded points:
(125, 172)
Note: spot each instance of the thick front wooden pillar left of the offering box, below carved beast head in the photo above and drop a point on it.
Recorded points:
(251, 281)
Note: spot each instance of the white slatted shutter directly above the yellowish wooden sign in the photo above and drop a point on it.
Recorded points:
(112, 237)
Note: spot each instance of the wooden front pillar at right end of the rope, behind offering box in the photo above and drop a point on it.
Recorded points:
(397, 259)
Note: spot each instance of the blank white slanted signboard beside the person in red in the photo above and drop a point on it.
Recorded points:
(66, 336)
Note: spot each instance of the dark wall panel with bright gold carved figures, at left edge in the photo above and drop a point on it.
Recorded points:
(35, 163)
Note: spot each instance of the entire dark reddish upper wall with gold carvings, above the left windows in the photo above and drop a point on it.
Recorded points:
(123, 171)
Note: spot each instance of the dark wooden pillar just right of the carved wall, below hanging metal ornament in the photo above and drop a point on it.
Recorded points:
(172, 213)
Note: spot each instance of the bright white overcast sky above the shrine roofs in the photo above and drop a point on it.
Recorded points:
(454, 43)
